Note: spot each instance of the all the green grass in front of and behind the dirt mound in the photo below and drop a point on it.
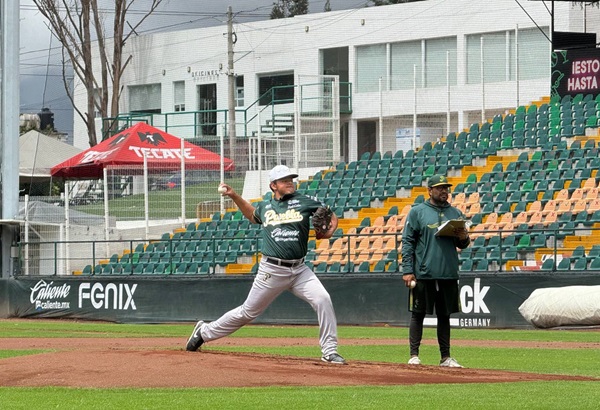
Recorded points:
(526, 395)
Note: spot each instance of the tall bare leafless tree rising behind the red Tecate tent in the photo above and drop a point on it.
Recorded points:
(74, 23)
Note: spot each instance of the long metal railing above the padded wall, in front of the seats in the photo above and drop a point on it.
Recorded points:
(514, 250)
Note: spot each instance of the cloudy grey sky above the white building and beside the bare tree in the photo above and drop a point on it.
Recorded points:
(41, 78)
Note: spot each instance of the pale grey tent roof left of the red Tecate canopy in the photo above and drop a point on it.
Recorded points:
(38, 153)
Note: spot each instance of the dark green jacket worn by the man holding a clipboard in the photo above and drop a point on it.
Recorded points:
(425, 255)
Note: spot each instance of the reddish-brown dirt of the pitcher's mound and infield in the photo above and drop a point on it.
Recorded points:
(162, 362)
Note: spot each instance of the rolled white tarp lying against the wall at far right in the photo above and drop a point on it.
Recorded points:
(565, 306)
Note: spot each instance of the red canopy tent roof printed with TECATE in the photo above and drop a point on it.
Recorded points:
(128, 147)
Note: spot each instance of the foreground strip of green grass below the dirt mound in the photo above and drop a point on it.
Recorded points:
(531, 396)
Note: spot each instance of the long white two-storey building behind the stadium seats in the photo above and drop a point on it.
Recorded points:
(428, 55)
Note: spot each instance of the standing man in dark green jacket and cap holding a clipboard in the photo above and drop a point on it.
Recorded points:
(430, 258)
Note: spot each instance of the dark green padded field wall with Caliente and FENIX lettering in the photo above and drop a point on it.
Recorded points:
(487, 300)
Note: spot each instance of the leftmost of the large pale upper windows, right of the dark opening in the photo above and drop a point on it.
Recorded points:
(370, 66)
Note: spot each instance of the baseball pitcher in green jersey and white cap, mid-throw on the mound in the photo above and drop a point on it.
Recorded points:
(286, 225)
